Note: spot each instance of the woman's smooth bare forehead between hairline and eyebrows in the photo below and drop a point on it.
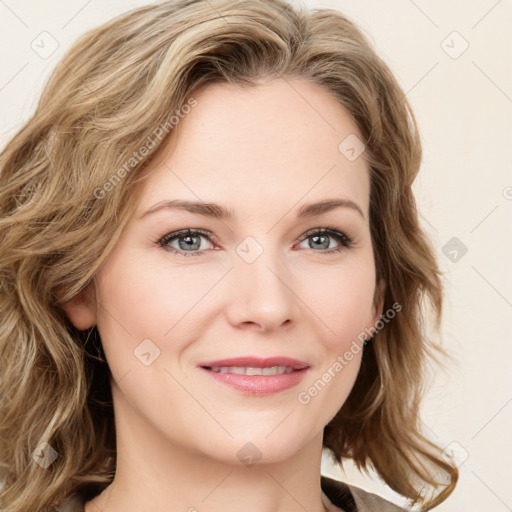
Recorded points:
(272, 142)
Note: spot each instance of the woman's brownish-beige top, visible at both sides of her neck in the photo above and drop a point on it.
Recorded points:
(337, 496)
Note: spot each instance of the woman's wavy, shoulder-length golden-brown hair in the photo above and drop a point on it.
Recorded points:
(63, 207)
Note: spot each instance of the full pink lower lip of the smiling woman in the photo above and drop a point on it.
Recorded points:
(259, 385)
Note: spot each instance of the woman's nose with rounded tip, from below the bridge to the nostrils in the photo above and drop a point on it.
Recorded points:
(261, 294)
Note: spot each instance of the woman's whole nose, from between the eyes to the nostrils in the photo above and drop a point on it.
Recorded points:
(260, 291)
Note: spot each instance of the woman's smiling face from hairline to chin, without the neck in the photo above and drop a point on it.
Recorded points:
(260, 283)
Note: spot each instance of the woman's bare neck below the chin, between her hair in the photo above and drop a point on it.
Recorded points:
(160, 474)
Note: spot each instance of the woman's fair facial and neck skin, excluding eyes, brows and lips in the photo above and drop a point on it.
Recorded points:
(263, 152)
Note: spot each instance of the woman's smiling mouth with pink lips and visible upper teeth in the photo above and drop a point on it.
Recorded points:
(256, 376)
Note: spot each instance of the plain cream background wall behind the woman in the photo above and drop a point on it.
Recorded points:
(453, 61)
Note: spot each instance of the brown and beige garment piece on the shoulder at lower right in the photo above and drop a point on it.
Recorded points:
(351, 498)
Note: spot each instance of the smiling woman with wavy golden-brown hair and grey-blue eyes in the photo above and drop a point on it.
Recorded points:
(213, 270)
